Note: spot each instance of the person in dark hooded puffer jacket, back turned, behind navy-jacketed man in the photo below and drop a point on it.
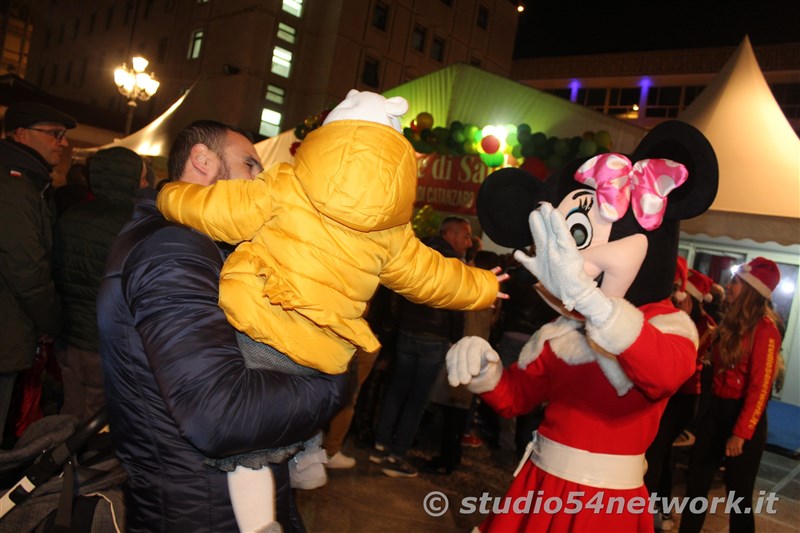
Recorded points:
(83, 236)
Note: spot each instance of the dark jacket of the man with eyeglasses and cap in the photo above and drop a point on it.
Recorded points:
(29, 305)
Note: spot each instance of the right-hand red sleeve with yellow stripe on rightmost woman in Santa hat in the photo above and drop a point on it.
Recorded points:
(761, 373)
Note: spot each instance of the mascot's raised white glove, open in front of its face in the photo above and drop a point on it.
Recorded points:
(558, 265)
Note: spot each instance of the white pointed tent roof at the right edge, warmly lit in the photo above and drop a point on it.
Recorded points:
(758, 153)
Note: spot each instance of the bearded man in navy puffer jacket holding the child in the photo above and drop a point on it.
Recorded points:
(177, 386)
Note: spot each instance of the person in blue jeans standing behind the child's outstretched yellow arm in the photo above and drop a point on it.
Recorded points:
(425, 334)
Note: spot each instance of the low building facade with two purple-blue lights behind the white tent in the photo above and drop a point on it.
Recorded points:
(649, 87)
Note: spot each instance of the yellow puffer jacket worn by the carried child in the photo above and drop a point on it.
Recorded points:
(322, 235)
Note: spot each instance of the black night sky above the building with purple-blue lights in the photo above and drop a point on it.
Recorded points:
(563, 27)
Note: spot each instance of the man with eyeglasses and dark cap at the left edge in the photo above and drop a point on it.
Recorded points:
(29, 307)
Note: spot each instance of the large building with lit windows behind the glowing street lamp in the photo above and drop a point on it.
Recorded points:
(271, 63)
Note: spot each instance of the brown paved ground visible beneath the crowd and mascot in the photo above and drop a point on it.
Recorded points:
(364, 500)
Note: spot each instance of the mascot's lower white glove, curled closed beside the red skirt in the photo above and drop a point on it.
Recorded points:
(472, 362)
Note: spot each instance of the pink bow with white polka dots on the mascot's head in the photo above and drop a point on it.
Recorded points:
(649, 181)
